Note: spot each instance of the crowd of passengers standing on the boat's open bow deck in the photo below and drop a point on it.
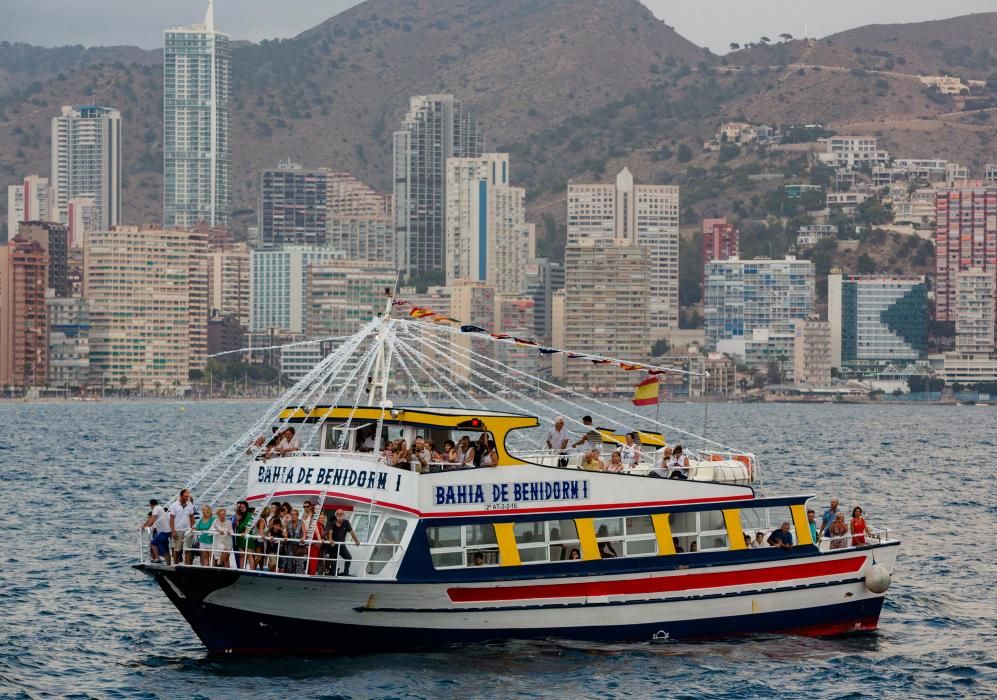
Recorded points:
(278, 540)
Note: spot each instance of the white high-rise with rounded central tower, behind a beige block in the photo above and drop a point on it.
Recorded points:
(649, 216)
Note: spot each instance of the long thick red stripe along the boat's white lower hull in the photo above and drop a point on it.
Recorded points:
(661, 584)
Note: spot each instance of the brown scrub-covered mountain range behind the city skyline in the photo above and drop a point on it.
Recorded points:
(571, 88)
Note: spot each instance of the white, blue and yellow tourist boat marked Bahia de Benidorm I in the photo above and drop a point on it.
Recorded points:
(530, 547)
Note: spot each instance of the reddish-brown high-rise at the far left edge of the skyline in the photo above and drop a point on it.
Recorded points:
(23, 316)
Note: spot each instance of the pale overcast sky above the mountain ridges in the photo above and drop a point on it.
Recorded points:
(713, 23)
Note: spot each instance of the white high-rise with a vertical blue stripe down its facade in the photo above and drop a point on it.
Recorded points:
(487, 237)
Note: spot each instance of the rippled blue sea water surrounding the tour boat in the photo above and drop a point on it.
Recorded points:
(76, 620)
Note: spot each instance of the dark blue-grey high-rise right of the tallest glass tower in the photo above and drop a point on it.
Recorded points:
(293, 205)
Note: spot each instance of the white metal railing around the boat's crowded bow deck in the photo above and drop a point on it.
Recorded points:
(280, 556)
